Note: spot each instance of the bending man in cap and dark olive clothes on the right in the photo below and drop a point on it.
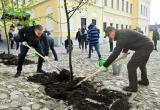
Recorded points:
(131, 40)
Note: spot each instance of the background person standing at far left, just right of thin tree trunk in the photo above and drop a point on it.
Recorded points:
(11, 35)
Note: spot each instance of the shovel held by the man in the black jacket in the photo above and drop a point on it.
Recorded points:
(58, 68)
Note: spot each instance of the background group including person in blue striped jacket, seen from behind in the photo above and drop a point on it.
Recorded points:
(91, 37)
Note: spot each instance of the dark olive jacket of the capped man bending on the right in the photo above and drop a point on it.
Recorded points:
(127, 40)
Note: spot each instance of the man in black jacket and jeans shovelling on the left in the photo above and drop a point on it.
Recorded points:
(32, 36)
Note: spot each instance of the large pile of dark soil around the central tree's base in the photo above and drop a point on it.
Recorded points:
(83, 97)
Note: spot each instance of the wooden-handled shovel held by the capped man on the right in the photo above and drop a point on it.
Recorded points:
(93, 75)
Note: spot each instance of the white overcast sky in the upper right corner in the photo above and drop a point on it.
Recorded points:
(155, 12)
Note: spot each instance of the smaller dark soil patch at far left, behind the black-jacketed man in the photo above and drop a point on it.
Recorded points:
(12, 59)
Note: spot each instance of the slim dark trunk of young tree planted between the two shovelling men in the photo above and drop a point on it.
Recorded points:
(69, 41)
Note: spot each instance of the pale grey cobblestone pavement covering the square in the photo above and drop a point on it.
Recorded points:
(18, 94)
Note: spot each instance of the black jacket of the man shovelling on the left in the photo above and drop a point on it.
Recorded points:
(27, 34)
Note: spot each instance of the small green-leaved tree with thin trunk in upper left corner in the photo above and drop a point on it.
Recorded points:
(11, 10)
